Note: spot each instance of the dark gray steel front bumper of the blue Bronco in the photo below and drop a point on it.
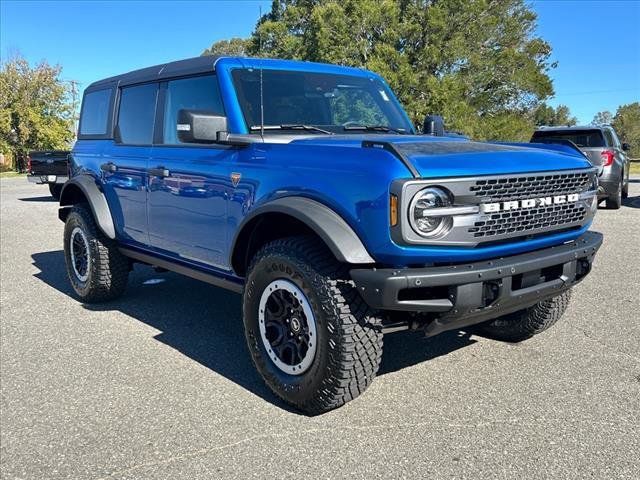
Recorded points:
(461, 295)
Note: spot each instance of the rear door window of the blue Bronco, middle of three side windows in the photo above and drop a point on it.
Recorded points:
(137, 113)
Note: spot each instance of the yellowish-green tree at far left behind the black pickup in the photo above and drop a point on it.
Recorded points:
(35, 111)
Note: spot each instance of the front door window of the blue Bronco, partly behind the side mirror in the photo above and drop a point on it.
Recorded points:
(196, 93)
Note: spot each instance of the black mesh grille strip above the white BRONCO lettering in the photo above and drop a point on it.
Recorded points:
(531, 186)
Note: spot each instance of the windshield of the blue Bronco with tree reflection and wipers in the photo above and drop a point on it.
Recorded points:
(307, 102)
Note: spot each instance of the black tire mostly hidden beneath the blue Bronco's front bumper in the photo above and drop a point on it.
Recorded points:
(524, 324)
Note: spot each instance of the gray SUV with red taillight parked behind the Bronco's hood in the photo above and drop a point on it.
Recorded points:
(603, 149)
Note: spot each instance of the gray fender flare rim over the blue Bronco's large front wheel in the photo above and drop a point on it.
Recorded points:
(343, 242)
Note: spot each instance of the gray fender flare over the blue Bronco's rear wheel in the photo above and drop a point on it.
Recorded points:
(96, 199)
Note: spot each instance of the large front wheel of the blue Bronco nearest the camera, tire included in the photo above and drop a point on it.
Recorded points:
(312, 338)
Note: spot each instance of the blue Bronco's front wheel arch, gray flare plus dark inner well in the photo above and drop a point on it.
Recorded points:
(294, 216)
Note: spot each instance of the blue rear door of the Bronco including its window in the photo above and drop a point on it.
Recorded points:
(124, 170)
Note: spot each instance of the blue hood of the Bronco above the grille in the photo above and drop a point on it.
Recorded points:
(437, 157)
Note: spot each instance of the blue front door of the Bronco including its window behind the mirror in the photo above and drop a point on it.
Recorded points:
(189, 184)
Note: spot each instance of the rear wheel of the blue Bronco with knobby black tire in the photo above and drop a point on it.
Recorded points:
(97, 270)
